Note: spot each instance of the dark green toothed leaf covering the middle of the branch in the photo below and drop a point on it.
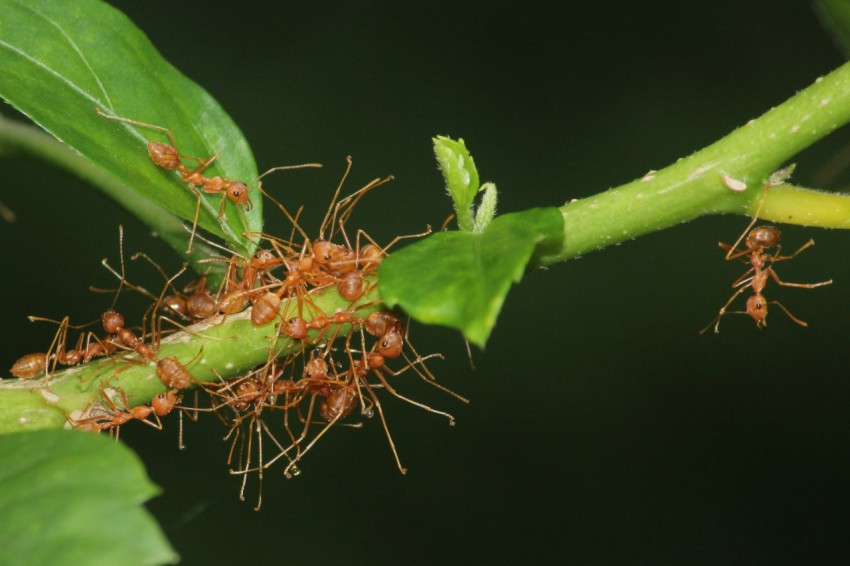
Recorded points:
(460, 279)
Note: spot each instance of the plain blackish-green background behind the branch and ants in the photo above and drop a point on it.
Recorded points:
(603, 428)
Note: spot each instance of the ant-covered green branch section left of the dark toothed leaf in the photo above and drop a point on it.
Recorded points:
(224, 347)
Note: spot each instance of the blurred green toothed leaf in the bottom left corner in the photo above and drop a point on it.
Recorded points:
(68, 497)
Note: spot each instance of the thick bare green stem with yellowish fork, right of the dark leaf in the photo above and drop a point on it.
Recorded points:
(706, 182)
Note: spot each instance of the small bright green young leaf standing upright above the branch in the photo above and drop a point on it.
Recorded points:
(461, 177)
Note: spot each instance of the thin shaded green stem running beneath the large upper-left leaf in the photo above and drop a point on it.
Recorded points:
(18, 137)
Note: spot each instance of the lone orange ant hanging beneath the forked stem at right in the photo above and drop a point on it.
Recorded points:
(756, 243)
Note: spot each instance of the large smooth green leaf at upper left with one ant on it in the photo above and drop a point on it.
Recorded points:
(60, 60)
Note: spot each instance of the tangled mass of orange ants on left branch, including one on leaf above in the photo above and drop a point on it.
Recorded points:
(334, 366)
